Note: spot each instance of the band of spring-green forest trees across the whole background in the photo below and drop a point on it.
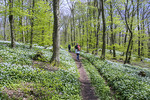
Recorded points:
(99, 26)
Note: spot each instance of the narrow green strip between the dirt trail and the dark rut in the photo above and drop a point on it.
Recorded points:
(101, 89)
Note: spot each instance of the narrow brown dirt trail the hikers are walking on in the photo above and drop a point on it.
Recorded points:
(87, 91)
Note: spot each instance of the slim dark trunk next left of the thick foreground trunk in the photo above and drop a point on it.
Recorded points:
(32, 24)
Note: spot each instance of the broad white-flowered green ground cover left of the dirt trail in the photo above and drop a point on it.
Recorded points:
(19, 79)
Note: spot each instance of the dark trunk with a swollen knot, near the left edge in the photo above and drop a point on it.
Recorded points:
(11, 20)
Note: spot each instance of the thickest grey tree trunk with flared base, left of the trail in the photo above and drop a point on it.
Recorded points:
(56, 34)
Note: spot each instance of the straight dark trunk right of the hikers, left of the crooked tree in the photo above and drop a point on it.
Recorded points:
(104, 29)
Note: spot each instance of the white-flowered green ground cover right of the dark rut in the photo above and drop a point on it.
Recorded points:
(123, 79)
